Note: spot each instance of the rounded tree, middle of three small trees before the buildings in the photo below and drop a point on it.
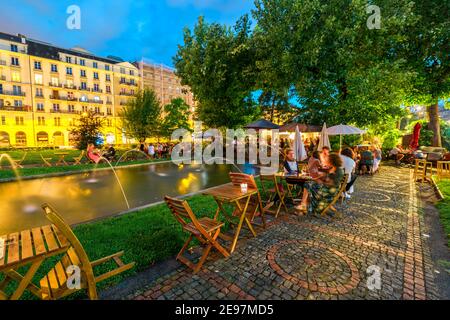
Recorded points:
(141, 117)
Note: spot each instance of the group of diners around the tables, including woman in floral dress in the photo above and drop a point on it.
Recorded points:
(327, 170)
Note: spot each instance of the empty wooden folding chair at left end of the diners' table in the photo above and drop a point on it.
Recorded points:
(273, 190)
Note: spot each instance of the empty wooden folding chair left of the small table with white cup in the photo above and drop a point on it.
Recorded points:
(205, 229)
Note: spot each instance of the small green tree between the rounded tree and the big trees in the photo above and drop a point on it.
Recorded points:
(176, 116)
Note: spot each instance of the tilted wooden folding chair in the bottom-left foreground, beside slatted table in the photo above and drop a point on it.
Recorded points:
(55, 284)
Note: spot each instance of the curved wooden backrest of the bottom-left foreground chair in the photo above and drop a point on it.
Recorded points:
(65, 229)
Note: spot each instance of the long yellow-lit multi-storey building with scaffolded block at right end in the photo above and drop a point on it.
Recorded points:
(44, 89)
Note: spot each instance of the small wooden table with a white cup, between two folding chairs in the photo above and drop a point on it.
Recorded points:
(229, 193)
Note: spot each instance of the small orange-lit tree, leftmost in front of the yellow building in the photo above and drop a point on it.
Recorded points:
(87, 129)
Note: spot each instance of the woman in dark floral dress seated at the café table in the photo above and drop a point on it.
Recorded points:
(320, 192)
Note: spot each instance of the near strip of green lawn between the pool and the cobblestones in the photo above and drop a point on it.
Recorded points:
(146, 236)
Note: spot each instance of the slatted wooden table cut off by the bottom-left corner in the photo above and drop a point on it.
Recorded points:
(28, 247)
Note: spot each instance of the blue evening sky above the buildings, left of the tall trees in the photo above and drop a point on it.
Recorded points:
(130, 29)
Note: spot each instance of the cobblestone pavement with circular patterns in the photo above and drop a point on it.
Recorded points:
(319, 258)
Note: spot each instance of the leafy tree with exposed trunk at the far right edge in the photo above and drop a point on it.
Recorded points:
(426, 49)
